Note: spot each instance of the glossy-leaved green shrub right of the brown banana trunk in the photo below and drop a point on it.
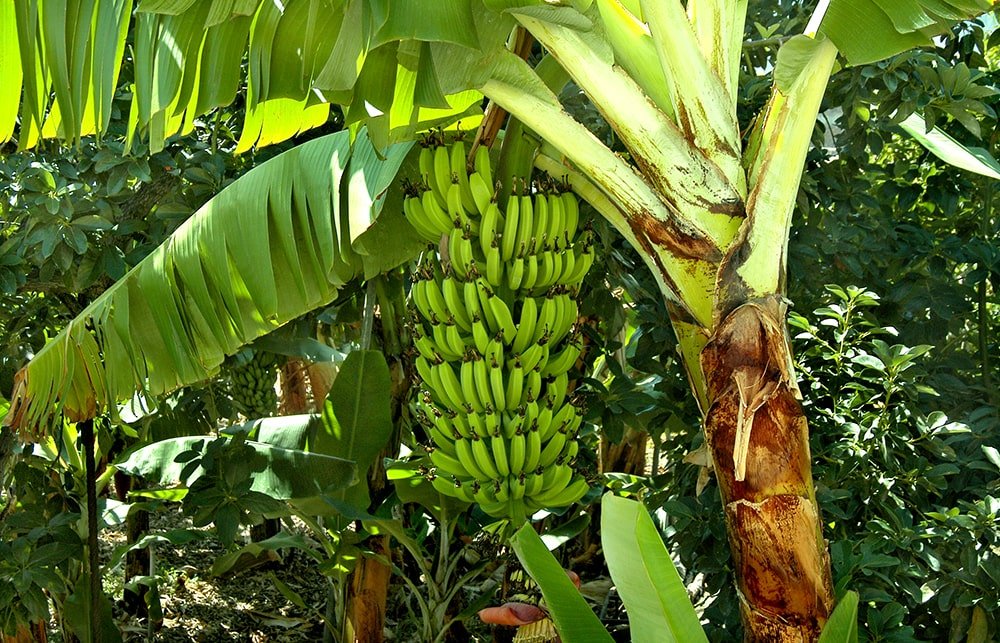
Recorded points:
(909, 495)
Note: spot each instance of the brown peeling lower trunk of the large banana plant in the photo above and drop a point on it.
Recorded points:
(759, 442)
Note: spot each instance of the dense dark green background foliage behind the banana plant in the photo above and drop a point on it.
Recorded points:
(898, 363)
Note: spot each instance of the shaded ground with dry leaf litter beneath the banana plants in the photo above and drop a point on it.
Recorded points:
(247, 606)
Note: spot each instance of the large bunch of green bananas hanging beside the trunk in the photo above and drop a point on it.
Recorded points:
(496, 309)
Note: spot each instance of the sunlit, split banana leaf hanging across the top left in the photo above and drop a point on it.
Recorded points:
(60, 61)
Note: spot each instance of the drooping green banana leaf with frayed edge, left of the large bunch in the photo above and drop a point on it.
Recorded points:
(275, 244)
